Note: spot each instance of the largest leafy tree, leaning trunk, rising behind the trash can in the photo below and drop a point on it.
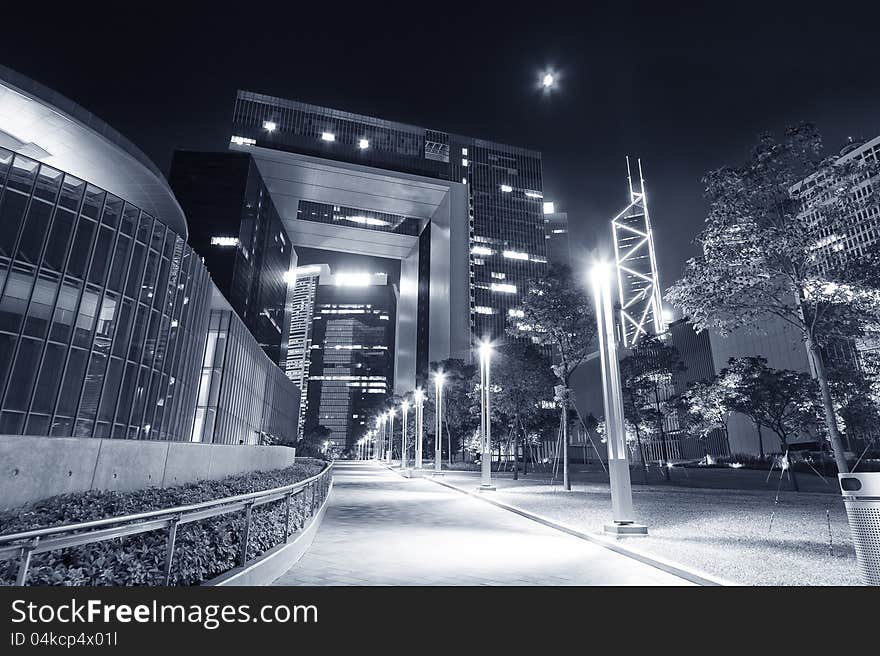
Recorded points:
(758, 251)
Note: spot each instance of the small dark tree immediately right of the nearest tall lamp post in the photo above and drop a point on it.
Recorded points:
(647, 375)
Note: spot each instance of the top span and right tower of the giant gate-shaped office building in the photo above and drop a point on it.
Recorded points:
(463, 215)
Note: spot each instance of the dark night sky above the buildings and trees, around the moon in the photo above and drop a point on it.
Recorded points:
(685, 86)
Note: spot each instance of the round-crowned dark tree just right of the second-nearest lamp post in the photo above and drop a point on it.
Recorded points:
(524, 380)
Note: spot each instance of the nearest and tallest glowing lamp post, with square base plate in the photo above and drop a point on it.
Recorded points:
(618, 465)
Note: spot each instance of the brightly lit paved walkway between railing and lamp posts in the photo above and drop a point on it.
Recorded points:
(381, 529)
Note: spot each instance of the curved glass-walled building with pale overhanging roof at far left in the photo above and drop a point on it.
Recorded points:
(104, 308)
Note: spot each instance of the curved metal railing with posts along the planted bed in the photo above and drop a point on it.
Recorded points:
(28, 543)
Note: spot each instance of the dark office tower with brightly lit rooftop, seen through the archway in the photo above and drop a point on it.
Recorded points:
(348, 354)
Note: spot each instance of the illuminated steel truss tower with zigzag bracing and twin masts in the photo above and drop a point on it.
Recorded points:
(641, 309)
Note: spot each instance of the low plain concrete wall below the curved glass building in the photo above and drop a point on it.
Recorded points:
(33, 468)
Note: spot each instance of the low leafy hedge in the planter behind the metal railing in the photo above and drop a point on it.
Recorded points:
(203, 549)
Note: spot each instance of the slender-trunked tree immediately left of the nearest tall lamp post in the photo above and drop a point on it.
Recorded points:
(558, 313)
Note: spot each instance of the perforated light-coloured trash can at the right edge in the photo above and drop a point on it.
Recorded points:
(861, 496)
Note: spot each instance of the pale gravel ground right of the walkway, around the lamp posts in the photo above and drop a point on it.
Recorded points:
(726, 533)
